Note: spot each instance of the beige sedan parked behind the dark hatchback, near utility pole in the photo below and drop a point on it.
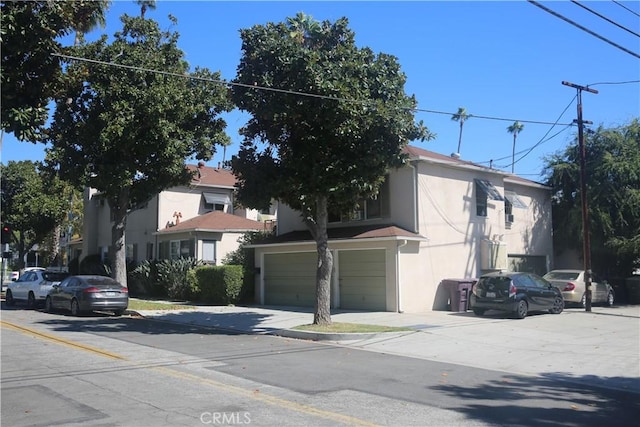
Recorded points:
(572, 285)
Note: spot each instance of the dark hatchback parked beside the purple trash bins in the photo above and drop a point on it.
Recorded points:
(515, 292)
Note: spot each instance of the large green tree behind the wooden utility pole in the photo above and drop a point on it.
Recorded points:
(613, 198)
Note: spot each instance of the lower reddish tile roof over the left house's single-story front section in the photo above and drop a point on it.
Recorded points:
(216, 221)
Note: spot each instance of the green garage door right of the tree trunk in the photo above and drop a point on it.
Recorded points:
(362, 277)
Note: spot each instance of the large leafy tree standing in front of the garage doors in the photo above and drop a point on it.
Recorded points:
(328, 149)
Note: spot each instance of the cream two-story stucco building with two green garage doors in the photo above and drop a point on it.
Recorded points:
(438, 217)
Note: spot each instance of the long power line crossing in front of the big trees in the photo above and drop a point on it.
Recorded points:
(285, 91)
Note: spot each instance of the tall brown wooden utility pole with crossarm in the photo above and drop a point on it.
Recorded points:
(586, 241)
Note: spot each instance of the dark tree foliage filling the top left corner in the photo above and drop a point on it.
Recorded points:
(31, 33)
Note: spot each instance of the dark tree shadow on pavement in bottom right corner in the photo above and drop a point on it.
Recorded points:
(549, 399)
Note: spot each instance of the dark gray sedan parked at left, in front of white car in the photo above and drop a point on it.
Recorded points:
(79, 294)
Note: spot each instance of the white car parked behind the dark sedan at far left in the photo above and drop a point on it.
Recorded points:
(33, 286)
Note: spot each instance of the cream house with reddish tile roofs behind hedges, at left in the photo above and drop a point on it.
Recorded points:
(198, 220)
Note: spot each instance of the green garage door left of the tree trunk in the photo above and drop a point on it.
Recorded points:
(290, 279)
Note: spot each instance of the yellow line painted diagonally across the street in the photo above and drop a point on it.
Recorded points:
(239, 391)
